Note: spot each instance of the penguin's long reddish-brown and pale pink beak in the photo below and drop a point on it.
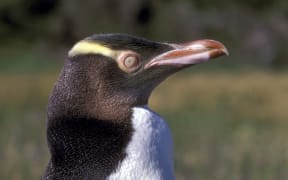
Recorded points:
(186, 54)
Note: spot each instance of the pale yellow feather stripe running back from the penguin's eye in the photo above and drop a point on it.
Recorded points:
(89, 47)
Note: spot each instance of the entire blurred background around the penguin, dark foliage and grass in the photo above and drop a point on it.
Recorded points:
(229, 117)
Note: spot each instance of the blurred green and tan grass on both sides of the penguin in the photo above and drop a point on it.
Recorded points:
(227, 123)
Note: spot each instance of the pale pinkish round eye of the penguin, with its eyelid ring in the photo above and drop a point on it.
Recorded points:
(130, 62)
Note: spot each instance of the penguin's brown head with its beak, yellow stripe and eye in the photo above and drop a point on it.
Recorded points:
(116, 70)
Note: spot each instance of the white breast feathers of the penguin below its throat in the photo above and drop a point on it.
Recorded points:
(150, 150)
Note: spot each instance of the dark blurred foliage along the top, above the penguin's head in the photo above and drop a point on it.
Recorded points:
(255, 31)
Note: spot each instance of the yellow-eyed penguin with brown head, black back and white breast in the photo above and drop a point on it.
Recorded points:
(99, 125)
